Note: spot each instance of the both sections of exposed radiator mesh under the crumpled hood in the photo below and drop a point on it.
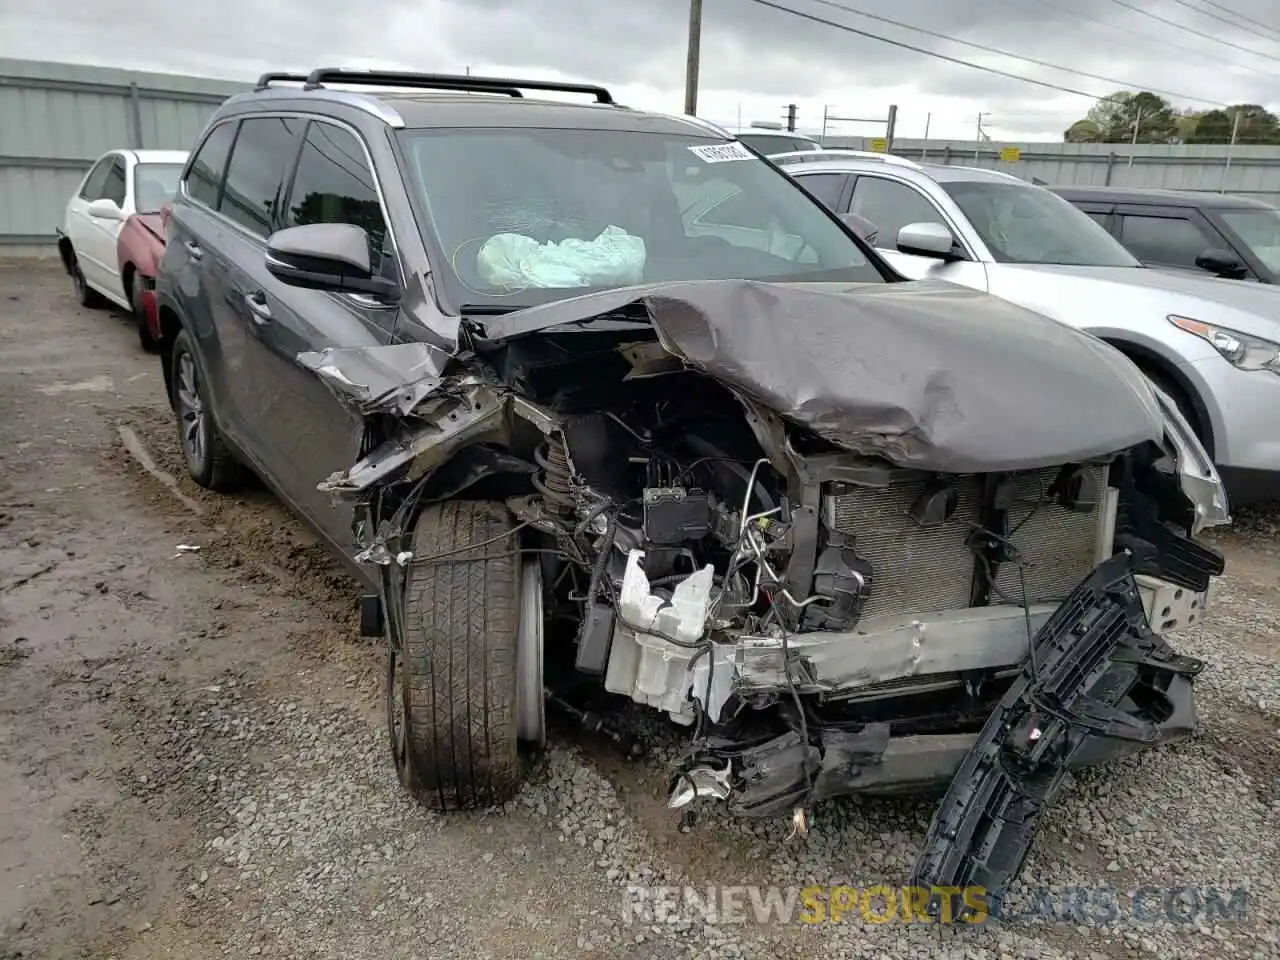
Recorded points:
(929, 570)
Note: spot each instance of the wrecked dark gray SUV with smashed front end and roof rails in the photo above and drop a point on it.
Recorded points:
(602, 406)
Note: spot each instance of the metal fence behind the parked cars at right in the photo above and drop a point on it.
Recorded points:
(1252, 171)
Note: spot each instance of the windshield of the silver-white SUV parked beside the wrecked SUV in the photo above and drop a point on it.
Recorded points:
(1025, 225)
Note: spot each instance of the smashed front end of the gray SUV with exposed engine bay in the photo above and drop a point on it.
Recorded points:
(833, 531)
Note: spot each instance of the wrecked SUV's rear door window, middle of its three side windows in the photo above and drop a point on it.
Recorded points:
(257, 171)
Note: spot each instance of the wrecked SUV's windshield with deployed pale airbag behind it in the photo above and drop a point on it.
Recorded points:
(531, 216)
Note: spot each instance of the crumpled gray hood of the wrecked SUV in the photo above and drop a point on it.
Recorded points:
(926, 374)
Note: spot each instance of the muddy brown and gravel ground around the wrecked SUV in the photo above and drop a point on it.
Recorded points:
(193, 755)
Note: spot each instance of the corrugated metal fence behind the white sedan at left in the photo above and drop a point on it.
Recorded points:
(56, 120)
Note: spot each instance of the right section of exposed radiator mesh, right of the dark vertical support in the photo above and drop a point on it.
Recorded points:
(1058, 547)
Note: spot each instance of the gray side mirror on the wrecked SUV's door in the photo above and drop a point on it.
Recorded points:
(327, 257)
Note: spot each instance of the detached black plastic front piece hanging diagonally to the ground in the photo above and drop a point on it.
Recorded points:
(1100, 683)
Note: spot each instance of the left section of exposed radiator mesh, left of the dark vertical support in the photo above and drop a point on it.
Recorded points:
(915, 569)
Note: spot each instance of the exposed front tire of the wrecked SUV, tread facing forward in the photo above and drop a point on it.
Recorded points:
(459, 661)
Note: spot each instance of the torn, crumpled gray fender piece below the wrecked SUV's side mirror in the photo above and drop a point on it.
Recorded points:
(392, 380)
